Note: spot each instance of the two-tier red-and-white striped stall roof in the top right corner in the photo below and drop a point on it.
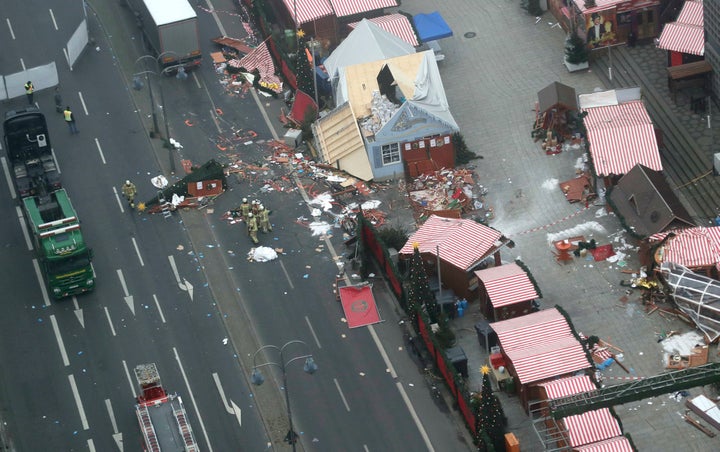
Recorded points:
(687, 33)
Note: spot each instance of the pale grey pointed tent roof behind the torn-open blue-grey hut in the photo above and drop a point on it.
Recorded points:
(367, 42)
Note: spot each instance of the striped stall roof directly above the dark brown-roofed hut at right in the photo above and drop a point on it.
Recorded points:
(620, 137)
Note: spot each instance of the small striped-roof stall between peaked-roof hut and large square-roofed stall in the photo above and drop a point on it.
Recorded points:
(505, 291)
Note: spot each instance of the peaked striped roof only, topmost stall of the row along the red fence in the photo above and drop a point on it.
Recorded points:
(462, 243)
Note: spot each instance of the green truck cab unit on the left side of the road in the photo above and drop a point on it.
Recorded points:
(65, 259)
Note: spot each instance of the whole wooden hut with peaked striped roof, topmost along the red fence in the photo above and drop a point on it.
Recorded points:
(456, 247)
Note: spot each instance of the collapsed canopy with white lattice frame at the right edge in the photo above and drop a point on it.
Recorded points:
(696, 295)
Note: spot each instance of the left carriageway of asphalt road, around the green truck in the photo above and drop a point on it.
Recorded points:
(67, 366)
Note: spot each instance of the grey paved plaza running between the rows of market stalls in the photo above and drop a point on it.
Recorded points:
(491, 80)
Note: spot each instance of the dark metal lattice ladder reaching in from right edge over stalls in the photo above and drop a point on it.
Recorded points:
(636, 390)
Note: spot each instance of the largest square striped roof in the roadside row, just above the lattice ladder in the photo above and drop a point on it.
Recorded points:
(540, 346)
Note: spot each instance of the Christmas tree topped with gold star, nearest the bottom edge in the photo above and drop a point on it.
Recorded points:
(490, 418)
